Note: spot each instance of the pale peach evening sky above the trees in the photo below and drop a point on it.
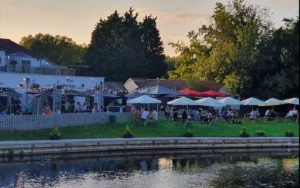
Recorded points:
(77, 18)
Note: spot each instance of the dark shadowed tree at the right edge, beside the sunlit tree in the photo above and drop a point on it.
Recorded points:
(279, 60)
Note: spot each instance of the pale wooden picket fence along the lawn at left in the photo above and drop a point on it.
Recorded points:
(33, 122)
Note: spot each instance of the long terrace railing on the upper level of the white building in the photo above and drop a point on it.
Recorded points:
(39, 70)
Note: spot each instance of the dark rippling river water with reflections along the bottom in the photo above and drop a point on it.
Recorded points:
(155, 169)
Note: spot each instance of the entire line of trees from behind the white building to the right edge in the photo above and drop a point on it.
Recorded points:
(239, 48)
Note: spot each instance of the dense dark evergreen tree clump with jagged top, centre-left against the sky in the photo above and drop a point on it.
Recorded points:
(122, 47)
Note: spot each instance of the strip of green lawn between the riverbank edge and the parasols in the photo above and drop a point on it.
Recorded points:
(163, 129)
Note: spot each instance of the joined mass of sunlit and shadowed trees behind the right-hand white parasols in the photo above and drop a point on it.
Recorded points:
(241, 49)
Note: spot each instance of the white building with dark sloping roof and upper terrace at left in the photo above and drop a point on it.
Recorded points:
(21, 69)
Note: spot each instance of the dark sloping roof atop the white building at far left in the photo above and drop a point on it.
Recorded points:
(11, 47)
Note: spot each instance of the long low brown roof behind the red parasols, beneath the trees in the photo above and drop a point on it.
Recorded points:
(177, 84)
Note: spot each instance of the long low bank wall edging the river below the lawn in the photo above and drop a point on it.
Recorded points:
(64, 146)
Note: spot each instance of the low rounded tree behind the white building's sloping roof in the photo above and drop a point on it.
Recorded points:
(59, 49)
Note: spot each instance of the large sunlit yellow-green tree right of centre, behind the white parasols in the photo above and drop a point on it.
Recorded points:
(226, 50)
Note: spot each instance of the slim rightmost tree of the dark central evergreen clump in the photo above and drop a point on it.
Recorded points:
(153, 48)
